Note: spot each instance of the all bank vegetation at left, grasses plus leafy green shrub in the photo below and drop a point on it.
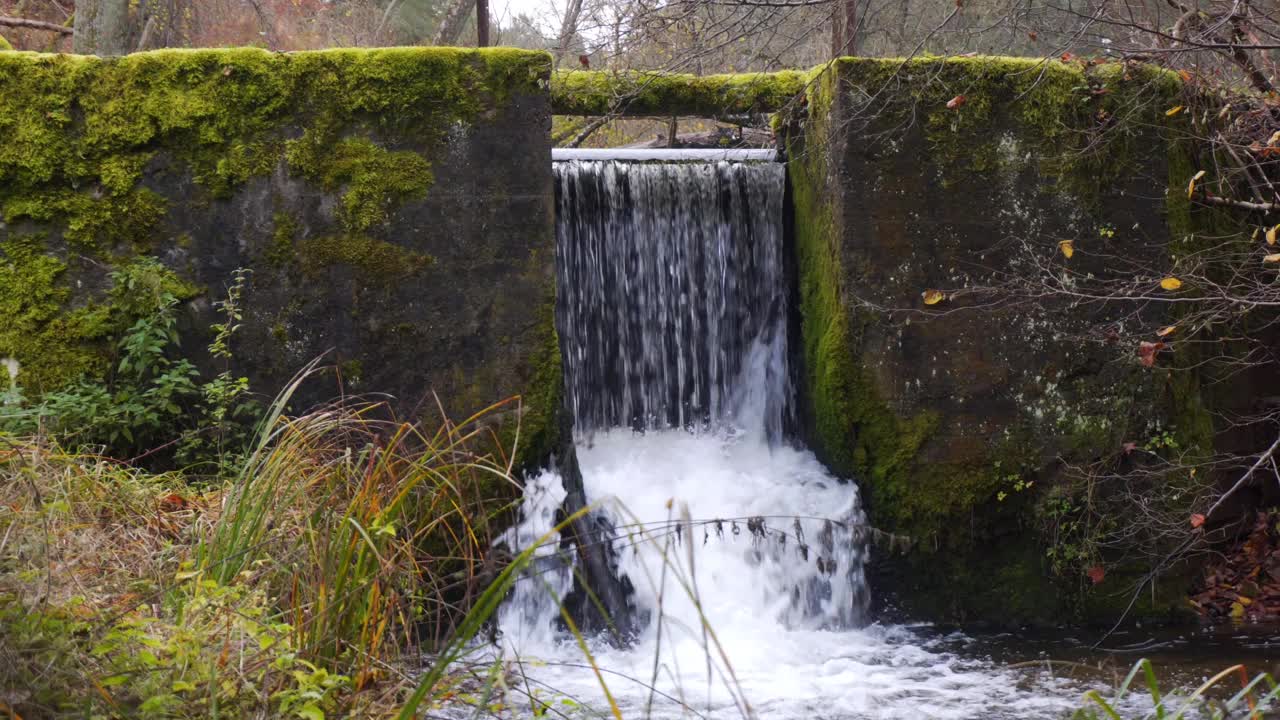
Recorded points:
(171, 549)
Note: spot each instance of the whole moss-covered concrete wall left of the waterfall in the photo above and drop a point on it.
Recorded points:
(394, 206)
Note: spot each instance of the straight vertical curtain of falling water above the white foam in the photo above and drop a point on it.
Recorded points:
(671, 286)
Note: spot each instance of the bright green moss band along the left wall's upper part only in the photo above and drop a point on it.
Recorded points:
(75, 125)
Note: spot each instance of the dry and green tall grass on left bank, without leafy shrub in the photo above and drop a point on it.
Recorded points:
(309, 584)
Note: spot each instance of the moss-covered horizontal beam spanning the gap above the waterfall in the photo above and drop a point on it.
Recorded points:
(588, 93)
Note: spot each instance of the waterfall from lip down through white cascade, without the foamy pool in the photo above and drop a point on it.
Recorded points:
(674, 321)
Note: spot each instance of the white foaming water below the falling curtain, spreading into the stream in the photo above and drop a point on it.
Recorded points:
(758, 658)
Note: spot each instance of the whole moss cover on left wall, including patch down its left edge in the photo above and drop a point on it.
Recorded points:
(108, 158)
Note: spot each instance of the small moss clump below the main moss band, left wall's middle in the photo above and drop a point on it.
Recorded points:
(376, 180)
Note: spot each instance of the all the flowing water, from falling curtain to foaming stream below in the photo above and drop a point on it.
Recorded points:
(744, 553)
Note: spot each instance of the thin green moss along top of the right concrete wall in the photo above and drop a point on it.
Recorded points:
(1082, 125)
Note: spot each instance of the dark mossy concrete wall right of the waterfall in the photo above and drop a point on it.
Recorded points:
(945, 413)
